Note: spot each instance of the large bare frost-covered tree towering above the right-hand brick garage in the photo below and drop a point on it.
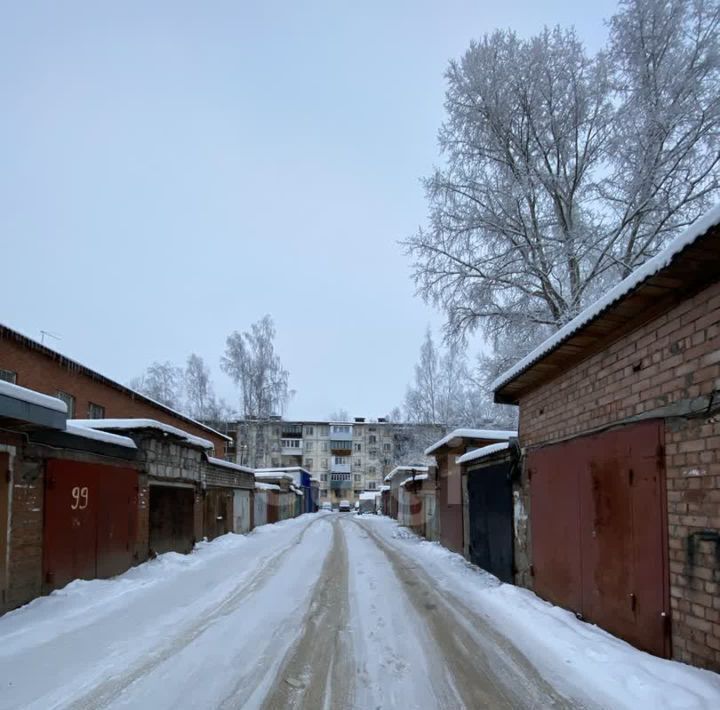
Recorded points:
(565, 171)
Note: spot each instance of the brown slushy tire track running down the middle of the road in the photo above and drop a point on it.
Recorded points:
(318, 669)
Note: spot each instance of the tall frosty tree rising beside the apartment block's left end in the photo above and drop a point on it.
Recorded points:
(250, 360)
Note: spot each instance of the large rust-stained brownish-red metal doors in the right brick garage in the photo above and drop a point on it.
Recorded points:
(598, 531)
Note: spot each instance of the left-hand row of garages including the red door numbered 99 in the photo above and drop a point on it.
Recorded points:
(85, 499)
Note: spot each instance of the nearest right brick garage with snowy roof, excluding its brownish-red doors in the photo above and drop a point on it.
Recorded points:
(650, 354)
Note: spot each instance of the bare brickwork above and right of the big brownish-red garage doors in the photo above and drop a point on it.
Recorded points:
(674, 358)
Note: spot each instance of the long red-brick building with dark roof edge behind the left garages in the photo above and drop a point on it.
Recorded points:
(42, 369)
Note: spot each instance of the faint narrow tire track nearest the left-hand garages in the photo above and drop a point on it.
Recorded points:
(109, 690)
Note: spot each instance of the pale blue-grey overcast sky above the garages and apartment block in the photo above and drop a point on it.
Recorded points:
(172, 171)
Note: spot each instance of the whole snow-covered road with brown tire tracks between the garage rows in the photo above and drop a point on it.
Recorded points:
(325, 611)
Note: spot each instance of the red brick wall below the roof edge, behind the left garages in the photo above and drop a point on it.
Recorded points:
(37, 371)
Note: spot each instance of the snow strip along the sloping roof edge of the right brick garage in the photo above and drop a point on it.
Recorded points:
(648, 269)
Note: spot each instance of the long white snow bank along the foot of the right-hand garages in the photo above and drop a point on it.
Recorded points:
(576, 657)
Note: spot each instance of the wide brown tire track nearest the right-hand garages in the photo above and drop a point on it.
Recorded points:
(486, 668)
